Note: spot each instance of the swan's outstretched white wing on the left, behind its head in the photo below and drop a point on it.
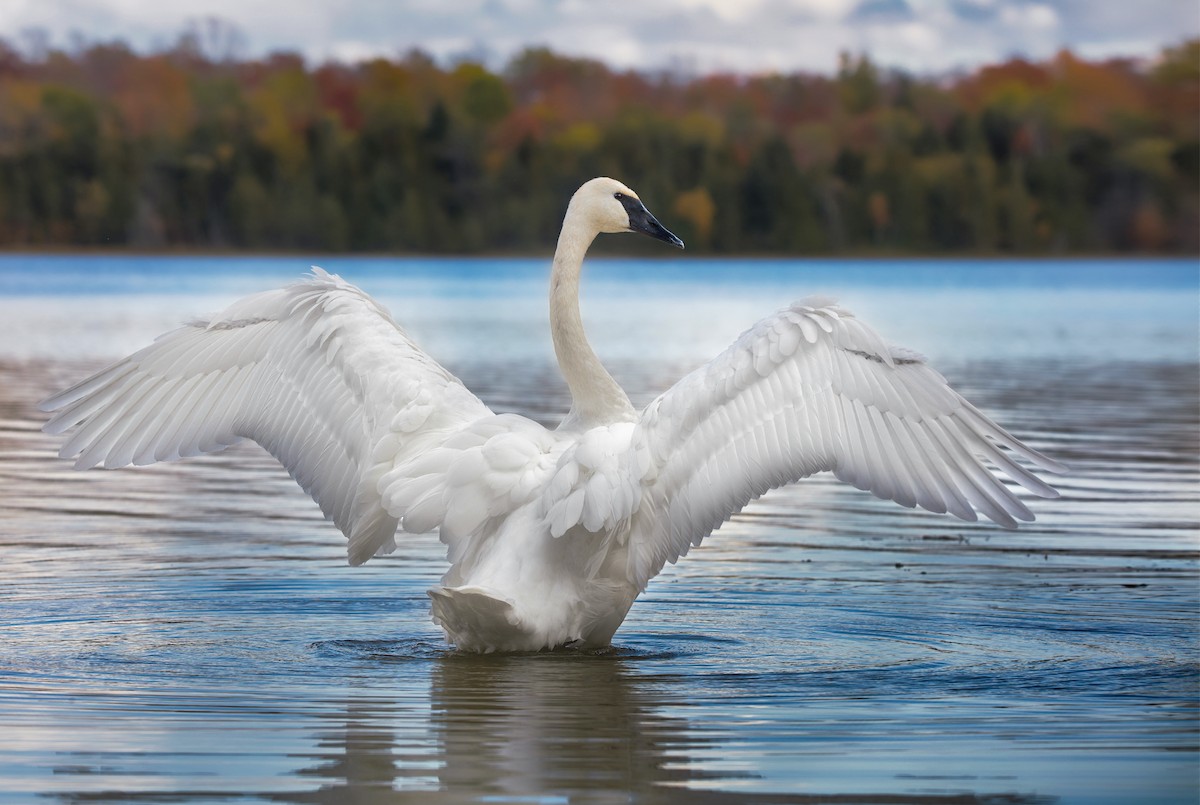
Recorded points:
(317, 374)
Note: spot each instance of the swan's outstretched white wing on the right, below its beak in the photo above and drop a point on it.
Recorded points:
(807, 391)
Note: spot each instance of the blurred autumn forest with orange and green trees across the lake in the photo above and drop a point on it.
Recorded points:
(188, 149)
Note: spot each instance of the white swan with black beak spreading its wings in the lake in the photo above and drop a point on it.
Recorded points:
(550, 534)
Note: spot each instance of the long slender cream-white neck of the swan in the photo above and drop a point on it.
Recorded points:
(596, 397)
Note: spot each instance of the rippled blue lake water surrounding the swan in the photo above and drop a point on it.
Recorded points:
(191, 633)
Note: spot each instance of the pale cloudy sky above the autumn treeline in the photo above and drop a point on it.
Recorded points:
(926, 37)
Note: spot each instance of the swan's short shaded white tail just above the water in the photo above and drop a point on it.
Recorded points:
(478, 621)
